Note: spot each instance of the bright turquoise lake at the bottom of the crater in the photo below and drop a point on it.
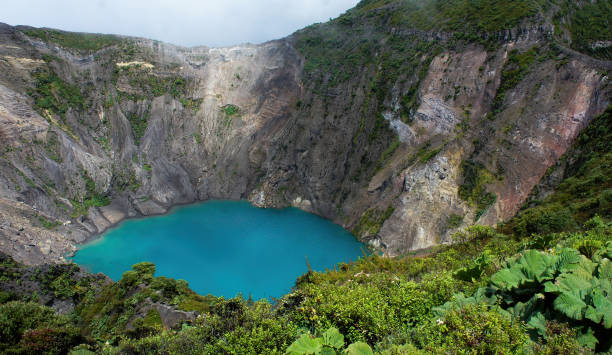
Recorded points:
(224, 247)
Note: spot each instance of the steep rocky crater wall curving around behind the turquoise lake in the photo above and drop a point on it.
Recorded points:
(398, 132)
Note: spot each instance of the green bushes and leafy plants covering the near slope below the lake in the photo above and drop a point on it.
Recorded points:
(491, 293)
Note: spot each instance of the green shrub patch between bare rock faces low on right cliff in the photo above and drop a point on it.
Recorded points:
(473, 189)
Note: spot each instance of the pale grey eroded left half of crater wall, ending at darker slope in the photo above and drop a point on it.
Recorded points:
(153, 126)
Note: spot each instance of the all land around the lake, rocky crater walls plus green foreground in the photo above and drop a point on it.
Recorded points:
(466, 141)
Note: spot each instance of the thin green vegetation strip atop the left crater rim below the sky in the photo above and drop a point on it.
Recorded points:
(88, 42)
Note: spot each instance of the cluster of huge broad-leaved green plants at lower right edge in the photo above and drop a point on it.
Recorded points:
(537, 287)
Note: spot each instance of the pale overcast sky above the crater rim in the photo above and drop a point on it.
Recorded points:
(183, 22)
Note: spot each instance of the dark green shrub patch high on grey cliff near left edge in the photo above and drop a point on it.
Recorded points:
(54, 94)
